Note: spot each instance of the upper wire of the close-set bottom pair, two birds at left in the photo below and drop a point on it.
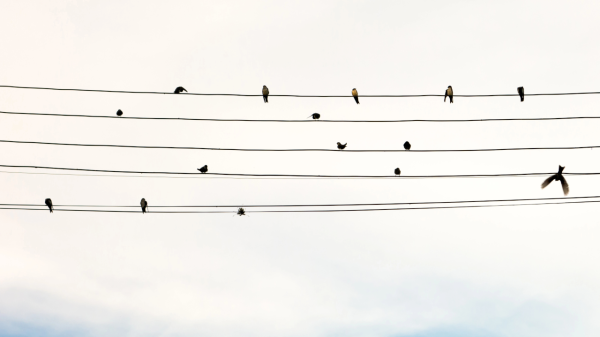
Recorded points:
(317, 205)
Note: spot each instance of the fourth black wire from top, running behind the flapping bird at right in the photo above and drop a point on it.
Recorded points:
(305, 175)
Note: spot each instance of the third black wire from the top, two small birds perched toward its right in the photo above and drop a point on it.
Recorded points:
(295, 150)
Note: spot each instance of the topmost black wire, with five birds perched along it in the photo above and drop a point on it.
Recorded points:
(275, 95)
